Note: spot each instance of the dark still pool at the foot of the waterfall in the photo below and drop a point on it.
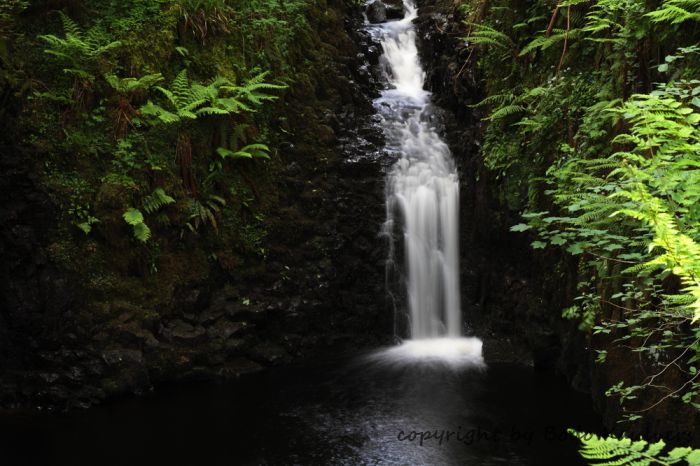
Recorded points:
(341, 412)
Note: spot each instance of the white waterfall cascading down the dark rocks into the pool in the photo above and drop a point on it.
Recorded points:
(423, 202)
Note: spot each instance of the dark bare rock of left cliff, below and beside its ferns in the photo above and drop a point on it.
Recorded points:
(80, 321)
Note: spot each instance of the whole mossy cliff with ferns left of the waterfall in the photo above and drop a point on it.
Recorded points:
(259, 254)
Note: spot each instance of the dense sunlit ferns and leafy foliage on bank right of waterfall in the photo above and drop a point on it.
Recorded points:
(592, 111)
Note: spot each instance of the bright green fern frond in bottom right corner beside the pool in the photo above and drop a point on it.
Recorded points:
(613, 451)
